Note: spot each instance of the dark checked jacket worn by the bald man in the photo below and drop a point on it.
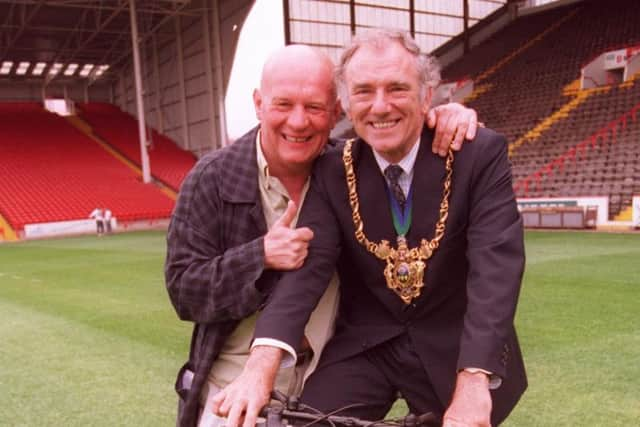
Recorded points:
(214, 268)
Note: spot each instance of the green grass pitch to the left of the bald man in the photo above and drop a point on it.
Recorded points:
(91, 338)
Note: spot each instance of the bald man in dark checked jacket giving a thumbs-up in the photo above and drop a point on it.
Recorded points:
(233, 228)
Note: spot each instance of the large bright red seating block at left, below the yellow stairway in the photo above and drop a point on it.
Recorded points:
(51, 172)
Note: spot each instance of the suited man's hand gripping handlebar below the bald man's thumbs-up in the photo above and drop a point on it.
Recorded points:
(250, 392)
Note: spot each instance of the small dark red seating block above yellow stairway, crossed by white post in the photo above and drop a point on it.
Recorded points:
(170, 164)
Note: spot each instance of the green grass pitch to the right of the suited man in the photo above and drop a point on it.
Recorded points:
(580, 330)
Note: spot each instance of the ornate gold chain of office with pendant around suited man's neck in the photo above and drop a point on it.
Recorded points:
(405, 267)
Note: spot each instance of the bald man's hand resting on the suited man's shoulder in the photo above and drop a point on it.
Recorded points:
(453, 122)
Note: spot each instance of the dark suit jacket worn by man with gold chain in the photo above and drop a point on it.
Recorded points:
(464, 316)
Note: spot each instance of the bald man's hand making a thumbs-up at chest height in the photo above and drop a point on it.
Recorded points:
(286, 248)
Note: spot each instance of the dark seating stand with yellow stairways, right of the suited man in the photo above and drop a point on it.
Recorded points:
(564, 141)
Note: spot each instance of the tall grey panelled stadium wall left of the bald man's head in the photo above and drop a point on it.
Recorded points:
(185, 71)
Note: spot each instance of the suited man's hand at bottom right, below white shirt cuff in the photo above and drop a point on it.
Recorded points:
(471, 403)
